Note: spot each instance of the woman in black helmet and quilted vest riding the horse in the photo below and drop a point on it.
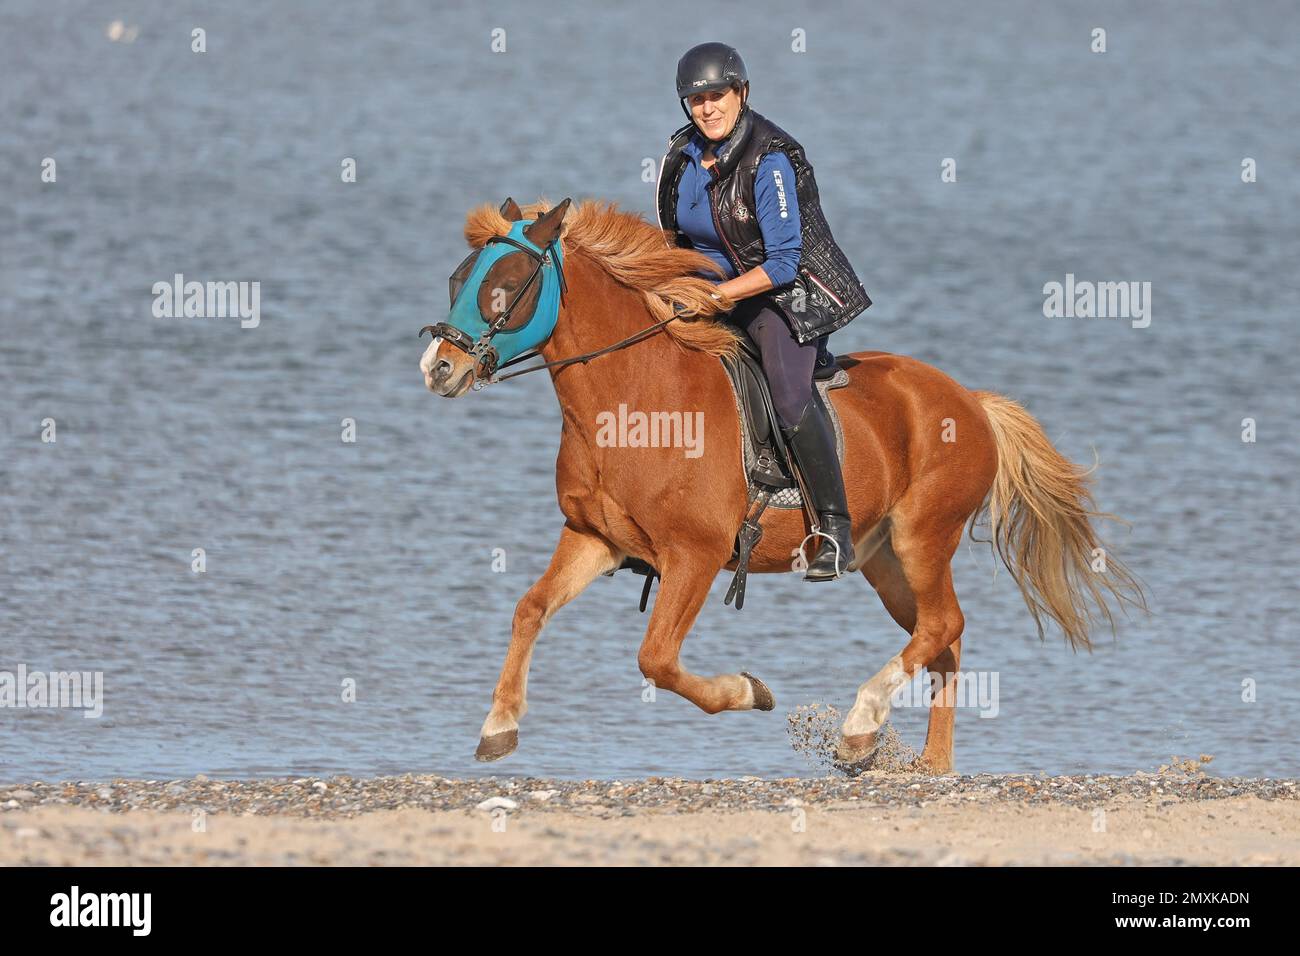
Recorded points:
(738, 188)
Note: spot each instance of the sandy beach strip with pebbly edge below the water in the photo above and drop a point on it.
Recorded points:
(1171, 817)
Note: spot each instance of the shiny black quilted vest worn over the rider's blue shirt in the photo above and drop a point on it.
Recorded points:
(826, 293)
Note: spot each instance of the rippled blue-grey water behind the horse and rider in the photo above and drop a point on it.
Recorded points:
(371, 561)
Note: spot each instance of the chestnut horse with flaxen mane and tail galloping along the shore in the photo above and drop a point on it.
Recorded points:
(922, 458)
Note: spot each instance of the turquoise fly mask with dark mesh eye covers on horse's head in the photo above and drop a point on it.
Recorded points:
(492, 344)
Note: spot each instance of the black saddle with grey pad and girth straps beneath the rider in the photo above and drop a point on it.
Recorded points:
(770, 469)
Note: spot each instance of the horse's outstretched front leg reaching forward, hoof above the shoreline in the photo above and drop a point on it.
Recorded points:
(580, 559)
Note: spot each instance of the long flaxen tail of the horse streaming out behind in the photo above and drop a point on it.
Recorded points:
(1041, 522)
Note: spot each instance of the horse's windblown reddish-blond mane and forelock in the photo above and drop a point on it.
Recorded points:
(636, 256)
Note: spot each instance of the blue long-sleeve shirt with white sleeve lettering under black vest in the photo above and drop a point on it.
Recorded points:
(778, 214)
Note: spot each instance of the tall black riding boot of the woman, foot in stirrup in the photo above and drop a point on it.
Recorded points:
(813, 444)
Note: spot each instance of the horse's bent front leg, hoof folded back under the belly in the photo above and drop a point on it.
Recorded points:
(683, 591)
